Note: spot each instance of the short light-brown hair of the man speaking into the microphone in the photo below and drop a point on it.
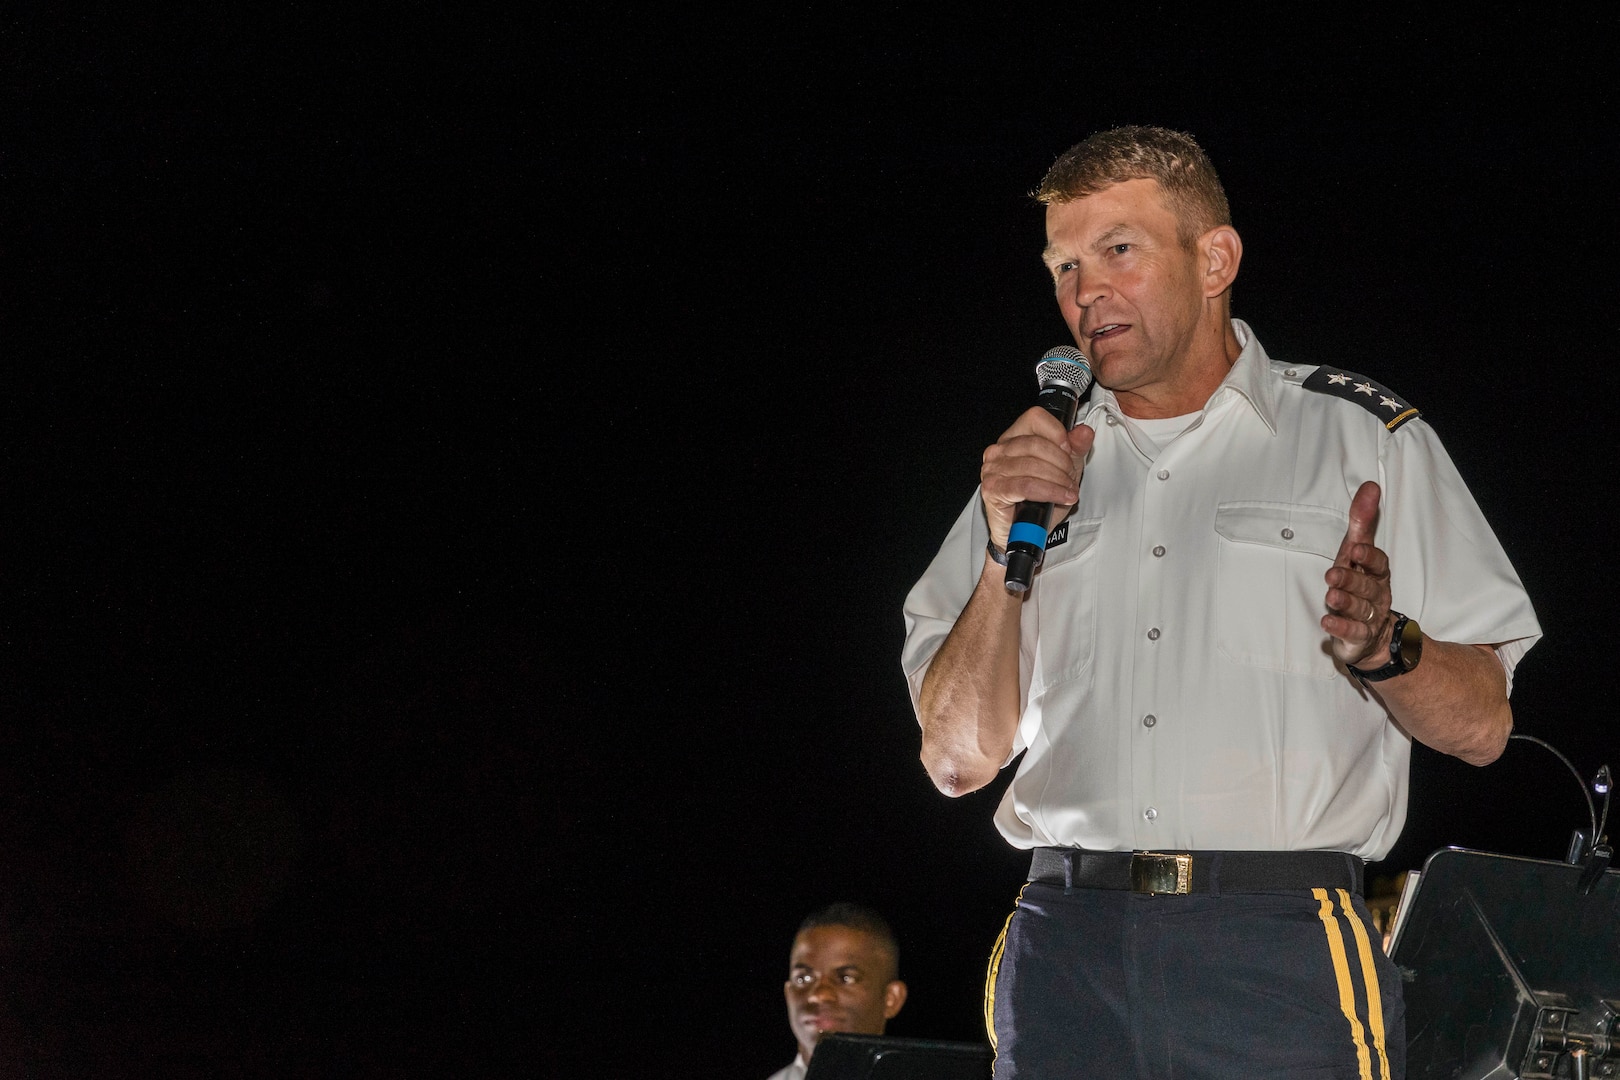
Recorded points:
(1172, 158)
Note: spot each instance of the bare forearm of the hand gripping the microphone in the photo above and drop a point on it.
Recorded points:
(970, 699)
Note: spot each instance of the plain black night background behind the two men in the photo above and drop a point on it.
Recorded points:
(463, 474)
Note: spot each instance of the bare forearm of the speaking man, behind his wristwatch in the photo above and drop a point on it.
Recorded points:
(1454, 702)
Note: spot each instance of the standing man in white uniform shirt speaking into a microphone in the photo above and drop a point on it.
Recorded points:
(1269, 582)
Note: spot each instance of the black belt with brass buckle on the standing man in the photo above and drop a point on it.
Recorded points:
(1180, 874)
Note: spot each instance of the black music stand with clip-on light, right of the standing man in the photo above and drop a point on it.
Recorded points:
(1511, 971)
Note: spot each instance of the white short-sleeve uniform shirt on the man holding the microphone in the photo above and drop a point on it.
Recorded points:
(1177, 686)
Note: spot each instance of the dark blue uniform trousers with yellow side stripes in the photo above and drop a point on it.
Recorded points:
(1240, 987)
